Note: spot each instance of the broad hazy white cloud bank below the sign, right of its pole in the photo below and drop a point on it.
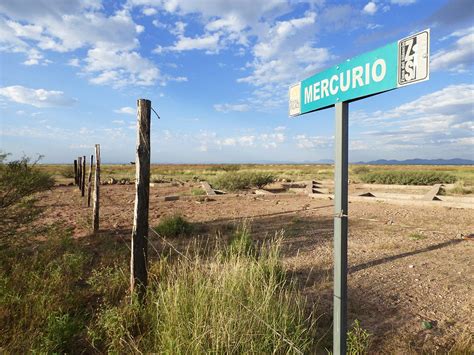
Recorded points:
(439, 119)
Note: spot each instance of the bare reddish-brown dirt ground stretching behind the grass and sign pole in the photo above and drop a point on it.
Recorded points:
(407, 264)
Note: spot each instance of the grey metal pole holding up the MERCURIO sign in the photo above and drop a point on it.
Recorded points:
(340, 228)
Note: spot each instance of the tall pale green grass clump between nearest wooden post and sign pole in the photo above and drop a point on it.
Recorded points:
(235, 304)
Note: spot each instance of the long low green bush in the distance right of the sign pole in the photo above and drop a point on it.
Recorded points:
(408, 177)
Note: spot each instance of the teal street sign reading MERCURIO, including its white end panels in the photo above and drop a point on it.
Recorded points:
(394, 65)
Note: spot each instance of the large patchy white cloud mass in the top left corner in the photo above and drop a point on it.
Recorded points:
(65, 26)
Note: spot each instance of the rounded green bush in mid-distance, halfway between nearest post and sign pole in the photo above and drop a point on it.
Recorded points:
(234, 181)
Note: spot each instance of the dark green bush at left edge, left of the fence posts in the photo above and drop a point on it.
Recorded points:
(20, 180)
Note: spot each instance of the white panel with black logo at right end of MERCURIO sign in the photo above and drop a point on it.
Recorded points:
(414, 58)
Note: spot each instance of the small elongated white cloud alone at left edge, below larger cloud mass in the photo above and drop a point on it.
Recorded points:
(36, 97)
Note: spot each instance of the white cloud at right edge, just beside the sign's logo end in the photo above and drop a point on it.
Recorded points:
(460, 56)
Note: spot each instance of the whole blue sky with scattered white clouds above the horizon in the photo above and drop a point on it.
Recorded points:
(218, 73)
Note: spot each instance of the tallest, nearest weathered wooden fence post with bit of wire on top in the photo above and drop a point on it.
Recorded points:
(139, 249)
